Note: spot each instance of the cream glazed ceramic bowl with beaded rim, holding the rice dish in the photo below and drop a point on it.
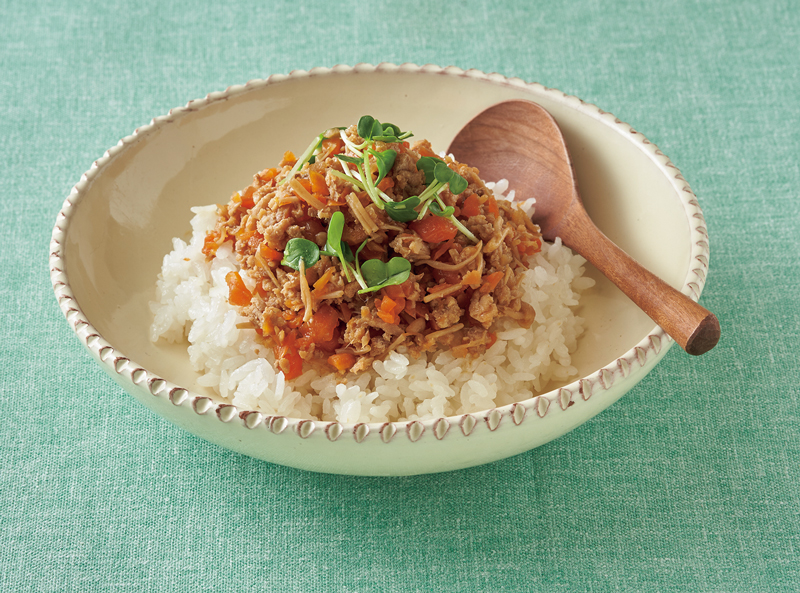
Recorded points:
(118, 222)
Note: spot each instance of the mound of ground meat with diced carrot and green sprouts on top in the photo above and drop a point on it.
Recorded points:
(366, 244)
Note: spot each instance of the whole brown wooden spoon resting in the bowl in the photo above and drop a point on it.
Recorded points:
(520, 141)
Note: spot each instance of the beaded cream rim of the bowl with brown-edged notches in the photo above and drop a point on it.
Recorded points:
(592, 385)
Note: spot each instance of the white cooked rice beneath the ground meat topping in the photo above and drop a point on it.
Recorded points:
(192, 302)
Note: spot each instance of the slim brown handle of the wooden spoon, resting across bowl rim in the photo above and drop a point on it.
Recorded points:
(692, 326)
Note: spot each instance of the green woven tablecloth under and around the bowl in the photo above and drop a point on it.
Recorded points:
(689, 483)
